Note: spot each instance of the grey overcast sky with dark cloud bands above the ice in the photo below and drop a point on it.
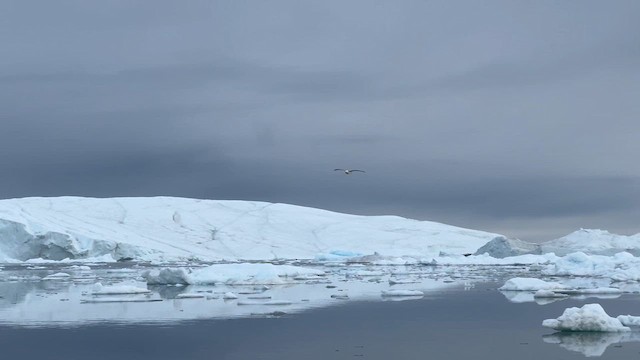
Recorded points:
(517, 117)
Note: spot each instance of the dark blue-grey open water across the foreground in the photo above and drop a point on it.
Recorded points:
(477, 323)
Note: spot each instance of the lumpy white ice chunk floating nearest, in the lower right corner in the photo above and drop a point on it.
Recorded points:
(590, 317)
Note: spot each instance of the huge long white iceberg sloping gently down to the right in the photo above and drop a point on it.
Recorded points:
(176, 229)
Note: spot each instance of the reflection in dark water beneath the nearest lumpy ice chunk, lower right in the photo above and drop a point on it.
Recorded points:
(590, 343)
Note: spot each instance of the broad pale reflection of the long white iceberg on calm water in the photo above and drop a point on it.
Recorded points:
(73, 302)
